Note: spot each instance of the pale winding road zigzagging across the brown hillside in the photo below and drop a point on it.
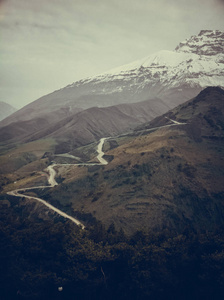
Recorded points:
(52, 173)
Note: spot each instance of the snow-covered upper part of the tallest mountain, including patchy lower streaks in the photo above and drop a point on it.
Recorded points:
(197, 62)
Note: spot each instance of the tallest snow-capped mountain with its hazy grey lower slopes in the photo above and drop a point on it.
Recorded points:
(173, 76)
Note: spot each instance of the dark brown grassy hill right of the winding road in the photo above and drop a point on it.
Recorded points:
(165, 178)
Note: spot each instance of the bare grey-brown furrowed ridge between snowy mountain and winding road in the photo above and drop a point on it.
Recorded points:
(84, 127)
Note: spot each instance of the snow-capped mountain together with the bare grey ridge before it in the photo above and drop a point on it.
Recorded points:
(81, 113)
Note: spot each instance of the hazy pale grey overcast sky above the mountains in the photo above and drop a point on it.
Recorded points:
(48, 44)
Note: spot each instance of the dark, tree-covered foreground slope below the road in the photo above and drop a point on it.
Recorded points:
(56, 260)
